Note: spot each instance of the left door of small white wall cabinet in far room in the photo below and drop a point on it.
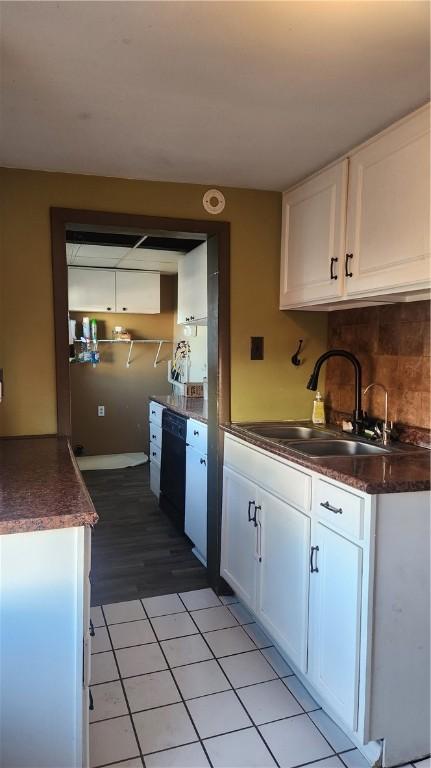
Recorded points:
(91, 290)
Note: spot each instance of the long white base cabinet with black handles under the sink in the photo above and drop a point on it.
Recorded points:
(339, 579)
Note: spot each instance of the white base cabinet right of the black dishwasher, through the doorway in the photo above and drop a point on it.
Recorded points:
(195, 519)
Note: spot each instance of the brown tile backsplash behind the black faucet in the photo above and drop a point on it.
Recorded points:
(392, 343)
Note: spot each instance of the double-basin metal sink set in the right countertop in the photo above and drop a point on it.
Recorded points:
(314, 442)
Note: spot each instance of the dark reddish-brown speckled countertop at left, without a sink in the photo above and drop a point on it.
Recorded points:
(41, 487)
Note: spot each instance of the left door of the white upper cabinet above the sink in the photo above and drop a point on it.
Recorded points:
(313, 239)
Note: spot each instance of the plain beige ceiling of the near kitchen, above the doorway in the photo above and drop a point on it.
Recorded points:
(249, 94)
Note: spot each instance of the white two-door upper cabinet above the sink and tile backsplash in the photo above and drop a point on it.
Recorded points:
(365, 238)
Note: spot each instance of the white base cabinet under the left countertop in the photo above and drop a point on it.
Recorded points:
(45, 648)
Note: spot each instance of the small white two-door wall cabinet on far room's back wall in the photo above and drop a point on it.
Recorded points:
(109, 290)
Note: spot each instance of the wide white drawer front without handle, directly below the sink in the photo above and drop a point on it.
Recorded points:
(288, 483)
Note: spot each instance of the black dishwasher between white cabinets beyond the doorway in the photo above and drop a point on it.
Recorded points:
(173, 467)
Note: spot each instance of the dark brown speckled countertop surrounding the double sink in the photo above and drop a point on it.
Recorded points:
(406, 470)
